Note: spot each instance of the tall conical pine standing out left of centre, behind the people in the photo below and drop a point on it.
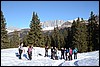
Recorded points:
(35, 36)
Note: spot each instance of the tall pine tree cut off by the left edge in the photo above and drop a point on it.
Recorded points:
(4, 36)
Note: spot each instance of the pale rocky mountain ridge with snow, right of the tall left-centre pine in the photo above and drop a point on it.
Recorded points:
(49, 25)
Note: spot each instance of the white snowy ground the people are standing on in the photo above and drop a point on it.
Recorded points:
(9, 58)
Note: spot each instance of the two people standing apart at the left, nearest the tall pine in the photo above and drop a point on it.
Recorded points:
(21, 50)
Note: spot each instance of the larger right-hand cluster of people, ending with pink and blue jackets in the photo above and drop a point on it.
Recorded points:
(65, 53)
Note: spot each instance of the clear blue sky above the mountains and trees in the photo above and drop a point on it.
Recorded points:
(19, 13)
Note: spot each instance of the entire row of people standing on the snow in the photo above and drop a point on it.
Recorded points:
(65, 53)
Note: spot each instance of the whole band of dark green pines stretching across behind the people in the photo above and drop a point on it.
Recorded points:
(84, 36)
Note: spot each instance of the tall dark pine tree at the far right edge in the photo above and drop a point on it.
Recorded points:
(92, 32)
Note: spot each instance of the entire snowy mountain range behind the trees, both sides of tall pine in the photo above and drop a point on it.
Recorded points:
(48, 25)
